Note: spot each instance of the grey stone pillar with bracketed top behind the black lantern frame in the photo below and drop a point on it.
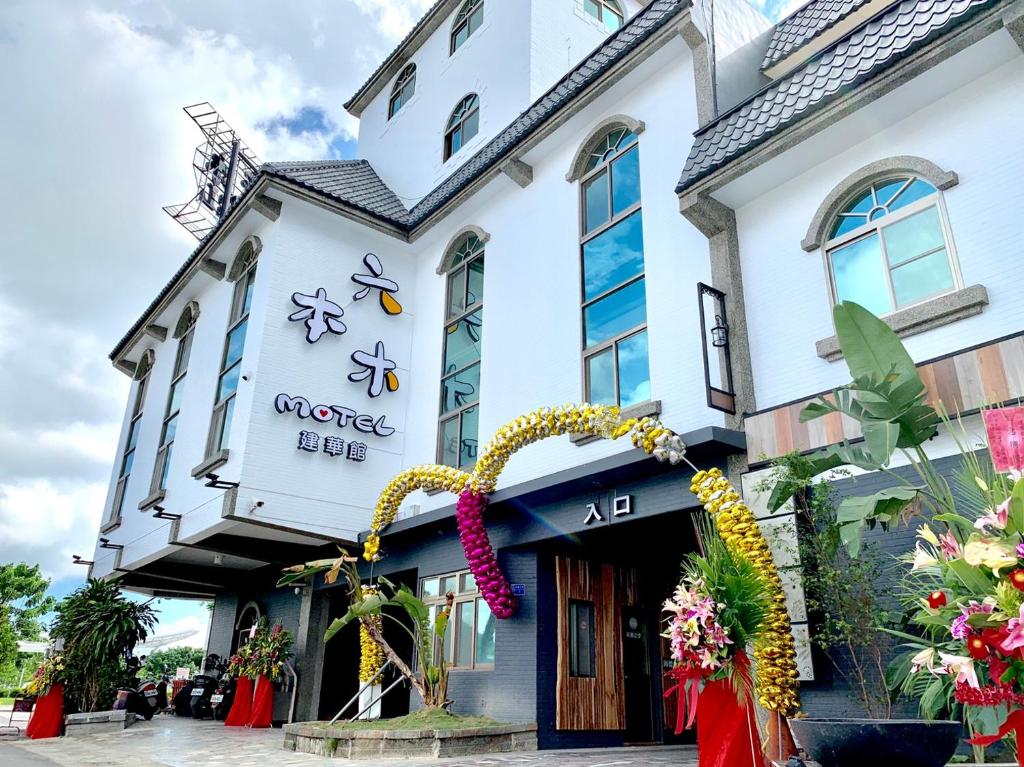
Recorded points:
(718, 223)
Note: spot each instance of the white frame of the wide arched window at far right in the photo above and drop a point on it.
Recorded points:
(876, 229)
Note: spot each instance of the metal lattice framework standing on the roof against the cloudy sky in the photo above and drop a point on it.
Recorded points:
(224, 166)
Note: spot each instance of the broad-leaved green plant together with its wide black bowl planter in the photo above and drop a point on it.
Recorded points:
(887, 399)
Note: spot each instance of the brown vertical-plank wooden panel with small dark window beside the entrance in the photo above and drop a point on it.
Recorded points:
(590, 703)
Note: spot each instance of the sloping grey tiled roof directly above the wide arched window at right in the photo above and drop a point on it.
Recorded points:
(865, 54)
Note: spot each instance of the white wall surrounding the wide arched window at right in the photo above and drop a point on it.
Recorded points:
(959, 116)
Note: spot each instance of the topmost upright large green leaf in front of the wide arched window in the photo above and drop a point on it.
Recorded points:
(870, 347)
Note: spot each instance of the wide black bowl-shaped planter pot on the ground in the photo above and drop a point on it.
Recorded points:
(877, 743)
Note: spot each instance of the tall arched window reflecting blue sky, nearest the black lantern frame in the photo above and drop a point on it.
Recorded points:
(615, 306)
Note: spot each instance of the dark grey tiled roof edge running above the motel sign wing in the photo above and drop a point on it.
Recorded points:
(356, 184)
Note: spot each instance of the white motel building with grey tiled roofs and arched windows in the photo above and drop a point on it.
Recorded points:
(521, 276)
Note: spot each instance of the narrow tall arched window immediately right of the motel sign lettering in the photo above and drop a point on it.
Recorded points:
(461, 373)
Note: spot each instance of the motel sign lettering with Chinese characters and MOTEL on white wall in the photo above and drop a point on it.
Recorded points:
(323, 318)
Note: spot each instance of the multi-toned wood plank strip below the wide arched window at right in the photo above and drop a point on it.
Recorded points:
(993, 374)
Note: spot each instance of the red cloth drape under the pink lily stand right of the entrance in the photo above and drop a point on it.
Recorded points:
(728, 728)
